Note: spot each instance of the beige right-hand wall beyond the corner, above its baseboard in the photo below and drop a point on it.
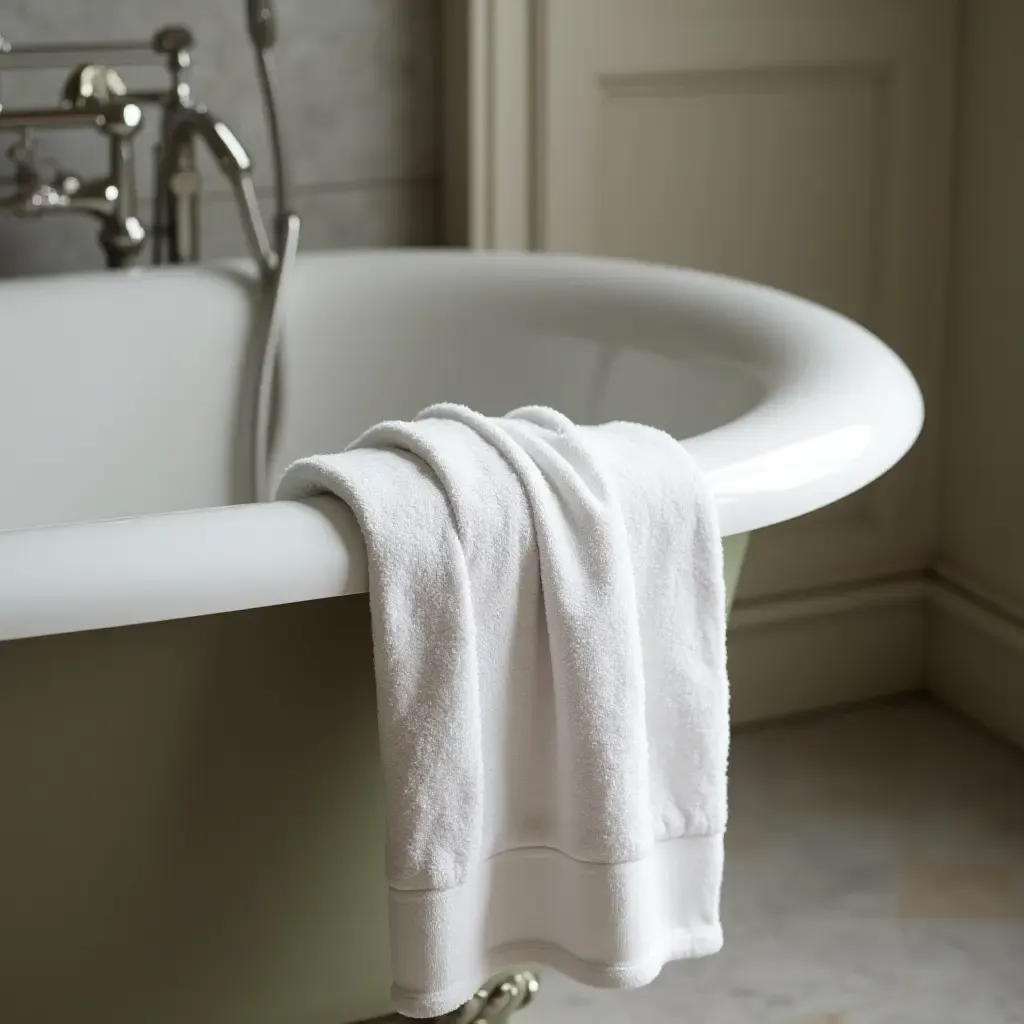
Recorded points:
(985, 437)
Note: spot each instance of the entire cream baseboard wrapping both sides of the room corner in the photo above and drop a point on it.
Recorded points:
(933, 630)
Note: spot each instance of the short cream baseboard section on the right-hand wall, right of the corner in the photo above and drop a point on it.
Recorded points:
(976, 655)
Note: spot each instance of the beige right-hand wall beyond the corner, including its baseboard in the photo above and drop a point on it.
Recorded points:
(977, 629)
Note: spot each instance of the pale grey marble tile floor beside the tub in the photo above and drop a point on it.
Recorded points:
(875, 875)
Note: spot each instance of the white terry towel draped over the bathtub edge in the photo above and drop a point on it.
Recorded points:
(549, 631)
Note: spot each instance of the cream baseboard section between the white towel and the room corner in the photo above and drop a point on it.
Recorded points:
(801, 653)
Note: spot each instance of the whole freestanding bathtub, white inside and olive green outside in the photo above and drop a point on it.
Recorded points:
(192, 809)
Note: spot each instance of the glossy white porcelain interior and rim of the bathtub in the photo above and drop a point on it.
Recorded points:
(129, 396)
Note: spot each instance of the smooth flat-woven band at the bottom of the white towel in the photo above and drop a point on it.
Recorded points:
(541, 907)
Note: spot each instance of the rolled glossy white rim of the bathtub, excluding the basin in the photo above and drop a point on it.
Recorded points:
(842, 410)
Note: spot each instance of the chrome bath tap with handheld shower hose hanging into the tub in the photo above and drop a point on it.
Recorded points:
(96, 97)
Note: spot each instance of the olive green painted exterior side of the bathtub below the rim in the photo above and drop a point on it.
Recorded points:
(192, 828)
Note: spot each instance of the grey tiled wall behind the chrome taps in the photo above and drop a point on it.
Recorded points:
(359, 91)
